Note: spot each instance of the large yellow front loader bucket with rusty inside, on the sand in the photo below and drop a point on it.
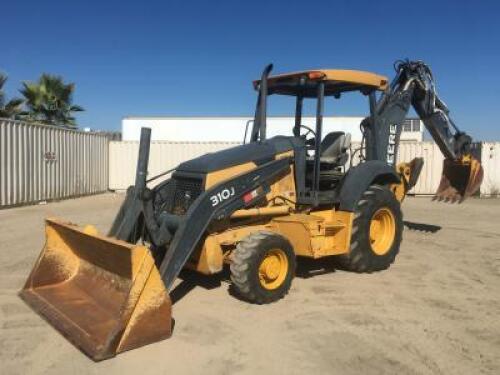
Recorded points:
(104, 295)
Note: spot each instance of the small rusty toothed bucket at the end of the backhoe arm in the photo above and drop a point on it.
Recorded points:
(460, 179)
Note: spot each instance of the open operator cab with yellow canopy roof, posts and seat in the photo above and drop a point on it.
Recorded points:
(320, 162)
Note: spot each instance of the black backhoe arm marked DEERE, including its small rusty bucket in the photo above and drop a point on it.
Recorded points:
(414, 86)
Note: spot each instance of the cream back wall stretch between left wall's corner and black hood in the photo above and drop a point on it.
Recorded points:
(163, 156)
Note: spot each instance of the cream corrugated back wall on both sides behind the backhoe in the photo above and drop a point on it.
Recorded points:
(167, 155)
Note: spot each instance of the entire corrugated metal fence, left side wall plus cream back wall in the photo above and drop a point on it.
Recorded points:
(40, 163)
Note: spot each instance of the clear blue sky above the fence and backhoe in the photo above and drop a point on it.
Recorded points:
(198, 58)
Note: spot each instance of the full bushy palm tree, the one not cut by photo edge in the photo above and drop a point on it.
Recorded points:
(49, 101)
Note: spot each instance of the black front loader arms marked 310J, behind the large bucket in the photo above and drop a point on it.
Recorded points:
(181, 234)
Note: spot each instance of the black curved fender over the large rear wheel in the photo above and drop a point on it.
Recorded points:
(359, 178)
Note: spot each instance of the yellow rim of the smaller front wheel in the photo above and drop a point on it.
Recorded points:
(273, 269)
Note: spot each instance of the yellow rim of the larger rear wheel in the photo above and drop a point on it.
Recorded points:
(382, 231)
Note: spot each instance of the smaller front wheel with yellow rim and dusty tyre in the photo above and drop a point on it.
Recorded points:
(262, 267)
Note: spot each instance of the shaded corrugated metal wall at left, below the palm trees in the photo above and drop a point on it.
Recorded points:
(40, 163)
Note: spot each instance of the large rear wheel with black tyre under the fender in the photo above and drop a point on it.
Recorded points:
(376, 232)
